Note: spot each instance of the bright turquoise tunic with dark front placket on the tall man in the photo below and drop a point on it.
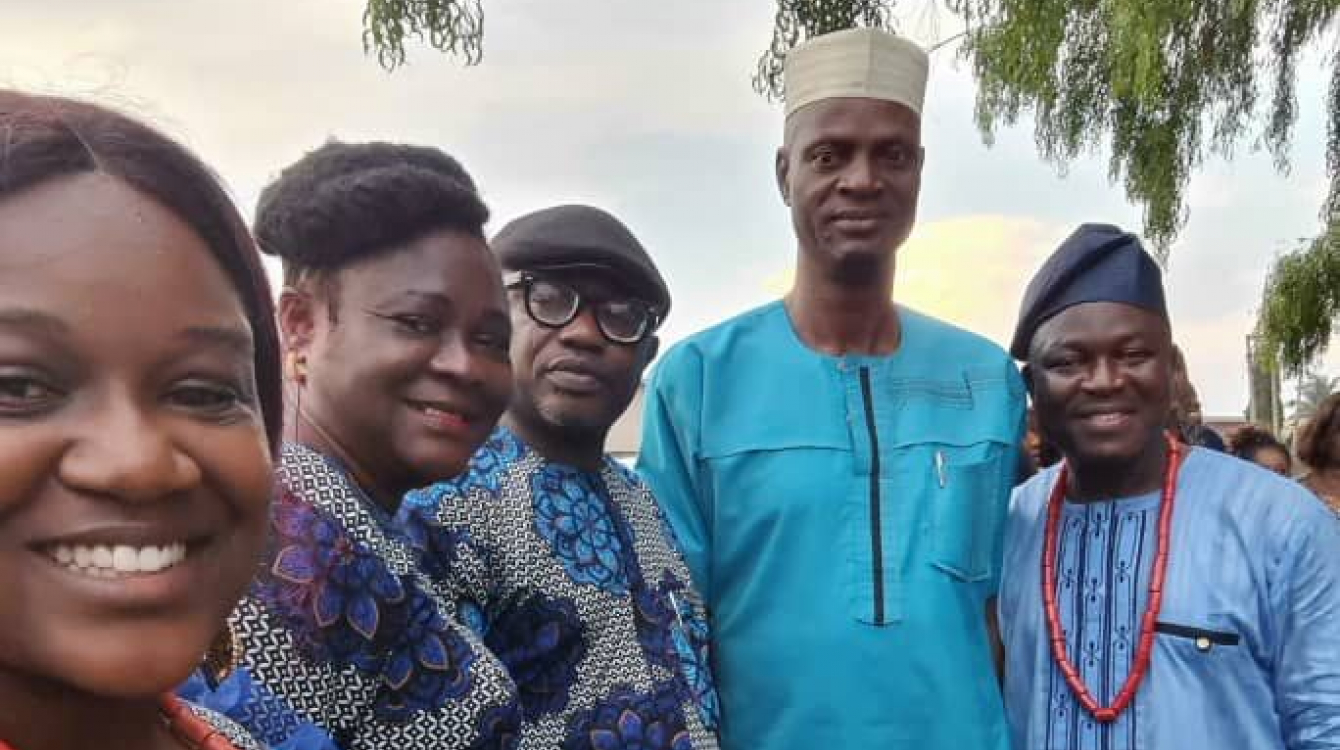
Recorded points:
(842, 516)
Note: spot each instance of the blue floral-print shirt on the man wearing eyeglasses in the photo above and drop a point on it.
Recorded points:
(576, 582)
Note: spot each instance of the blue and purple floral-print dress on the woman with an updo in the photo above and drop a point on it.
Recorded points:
(346, 642)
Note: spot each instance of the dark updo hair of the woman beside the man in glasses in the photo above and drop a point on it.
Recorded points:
(345, 203)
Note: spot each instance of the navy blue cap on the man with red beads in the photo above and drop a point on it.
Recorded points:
(1098, 263)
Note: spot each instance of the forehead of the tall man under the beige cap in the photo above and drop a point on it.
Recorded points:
(853, 120)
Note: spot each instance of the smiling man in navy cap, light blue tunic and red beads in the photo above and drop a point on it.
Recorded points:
(1156, 595)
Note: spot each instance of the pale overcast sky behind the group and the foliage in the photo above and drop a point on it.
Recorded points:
(645, 109)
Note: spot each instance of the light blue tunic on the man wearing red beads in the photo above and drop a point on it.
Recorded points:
(1248, 648)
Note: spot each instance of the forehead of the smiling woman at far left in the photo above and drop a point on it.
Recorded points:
(82, 247)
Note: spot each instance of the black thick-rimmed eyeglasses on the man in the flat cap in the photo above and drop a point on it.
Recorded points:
(550, 303)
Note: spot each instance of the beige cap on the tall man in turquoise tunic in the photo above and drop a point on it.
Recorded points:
(858, 62)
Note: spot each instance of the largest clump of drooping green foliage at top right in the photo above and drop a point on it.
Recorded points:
(1161, 82)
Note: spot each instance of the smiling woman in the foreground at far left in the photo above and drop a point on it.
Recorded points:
(140, 412)
